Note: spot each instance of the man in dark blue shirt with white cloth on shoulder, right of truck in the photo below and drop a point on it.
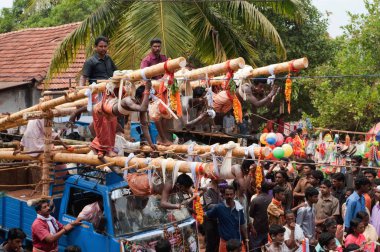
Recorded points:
(231, 221)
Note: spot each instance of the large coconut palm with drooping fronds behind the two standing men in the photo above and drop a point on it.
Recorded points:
(207, 30)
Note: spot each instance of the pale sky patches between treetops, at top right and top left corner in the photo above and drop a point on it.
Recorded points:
(337, 10)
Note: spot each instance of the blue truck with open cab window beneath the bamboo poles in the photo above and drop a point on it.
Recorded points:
(132, 223)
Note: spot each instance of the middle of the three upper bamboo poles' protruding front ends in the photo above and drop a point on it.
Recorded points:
(212, 70)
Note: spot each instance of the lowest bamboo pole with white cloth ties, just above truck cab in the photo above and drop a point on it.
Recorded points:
(184, 166)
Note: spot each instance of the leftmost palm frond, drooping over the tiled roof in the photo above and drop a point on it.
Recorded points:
(101, 22)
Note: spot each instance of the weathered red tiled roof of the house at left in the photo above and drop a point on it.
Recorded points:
(26, 55)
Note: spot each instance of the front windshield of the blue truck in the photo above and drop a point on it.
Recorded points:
(141, 213)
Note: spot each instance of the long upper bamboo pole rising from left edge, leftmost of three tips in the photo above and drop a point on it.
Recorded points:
(149, 72)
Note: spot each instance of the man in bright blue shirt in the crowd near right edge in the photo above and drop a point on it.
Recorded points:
(356, 202)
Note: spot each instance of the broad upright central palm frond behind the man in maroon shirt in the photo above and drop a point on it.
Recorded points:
(145, 21)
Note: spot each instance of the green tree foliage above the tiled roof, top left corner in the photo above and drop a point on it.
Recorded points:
(25, 14)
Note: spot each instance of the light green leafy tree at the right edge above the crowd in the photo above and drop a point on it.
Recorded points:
(351, 103)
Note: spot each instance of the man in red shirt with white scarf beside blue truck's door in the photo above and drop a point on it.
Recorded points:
(46, 230)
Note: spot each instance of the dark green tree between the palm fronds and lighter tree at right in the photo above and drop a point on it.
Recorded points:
(301, 39)
